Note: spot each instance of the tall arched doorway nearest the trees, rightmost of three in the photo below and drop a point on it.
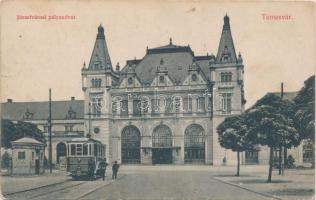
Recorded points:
(194, 144)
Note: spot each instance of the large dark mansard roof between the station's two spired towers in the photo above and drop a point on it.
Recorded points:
(176, 59)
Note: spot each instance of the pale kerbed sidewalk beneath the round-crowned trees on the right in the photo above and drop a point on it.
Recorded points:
(295, 184)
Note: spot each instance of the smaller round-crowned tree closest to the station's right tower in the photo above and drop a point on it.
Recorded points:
(232, 134)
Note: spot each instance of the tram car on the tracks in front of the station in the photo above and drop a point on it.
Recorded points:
(83, 157)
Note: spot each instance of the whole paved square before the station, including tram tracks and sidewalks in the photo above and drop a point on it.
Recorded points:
(168, 182)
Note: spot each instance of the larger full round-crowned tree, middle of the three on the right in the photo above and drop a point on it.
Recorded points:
(270, 123)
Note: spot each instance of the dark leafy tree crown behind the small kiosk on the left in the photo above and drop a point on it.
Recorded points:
(13, 131)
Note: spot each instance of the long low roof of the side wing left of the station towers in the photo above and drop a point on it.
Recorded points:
(40, 110)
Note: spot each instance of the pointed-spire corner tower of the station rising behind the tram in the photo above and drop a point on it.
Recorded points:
(97, 80)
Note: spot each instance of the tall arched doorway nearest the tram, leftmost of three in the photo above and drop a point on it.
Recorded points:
(130, 145)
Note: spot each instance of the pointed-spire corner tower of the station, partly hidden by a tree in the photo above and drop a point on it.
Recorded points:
(226, 76)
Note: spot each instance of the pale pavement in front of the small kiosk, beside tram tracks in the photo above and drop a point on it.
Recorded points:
(11, 184)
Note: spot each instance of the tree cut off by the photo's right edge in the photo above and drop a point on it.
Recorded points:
(305, 112)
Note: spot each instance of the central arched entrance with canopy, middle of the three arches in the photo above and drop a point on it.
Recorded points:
(162, 145)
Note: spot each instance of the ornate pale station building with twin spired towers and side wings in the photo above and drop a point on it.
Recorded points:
(161, 109)
